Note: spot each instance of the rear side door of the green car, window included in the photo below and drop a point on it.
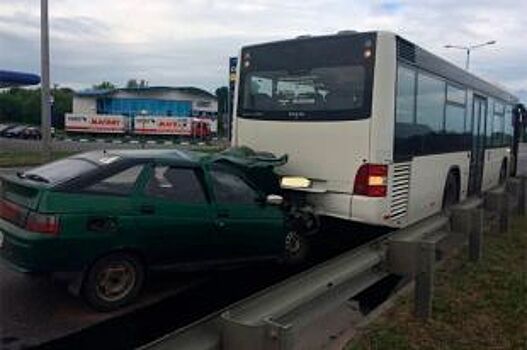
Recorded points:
(175, 215)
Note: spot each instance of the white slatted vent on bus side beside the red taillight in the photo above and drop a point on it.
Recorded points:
(400, 190)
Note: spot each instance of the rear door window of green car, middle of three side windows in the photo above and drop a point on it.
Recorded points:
(177, 184)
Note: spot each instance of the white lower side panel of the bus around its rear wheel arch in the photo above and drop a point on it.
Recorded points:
(428, 178)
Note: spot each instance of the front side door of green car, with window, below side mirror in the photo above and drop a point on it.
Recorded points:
(246, 226)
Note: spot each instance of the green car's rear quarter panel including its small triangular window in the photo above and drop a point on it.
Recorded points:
(97, 218)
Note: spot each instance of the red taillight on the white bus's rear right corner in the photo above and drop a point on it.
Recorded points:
(371, 180)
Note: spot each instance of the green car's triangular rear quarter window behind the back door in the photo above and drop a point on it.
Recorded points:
(121, 183)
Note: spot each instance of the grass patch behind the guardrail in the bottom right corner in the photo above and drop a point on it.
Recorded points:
(476, 306)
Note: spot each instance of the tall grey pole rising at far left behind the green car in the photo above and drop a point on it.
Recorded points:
(44, 71)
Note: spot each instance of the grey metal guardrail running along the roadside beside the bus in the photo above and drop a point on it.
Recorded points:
(313, 309)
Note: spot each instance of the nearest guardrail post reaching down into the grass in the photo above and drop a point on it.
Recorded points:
(424, 280)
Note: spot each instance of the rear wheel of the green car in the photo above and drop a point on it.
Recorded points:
(113, 281)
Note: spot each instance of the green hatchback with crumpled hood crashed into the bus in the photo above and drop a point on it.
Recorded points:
(105, 218)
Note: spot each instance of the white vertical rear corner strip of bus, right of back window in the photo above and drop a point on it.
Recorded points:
(383, 101)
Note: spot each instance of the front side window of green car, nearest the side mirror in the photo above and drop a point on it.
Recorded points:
(230, 188)
